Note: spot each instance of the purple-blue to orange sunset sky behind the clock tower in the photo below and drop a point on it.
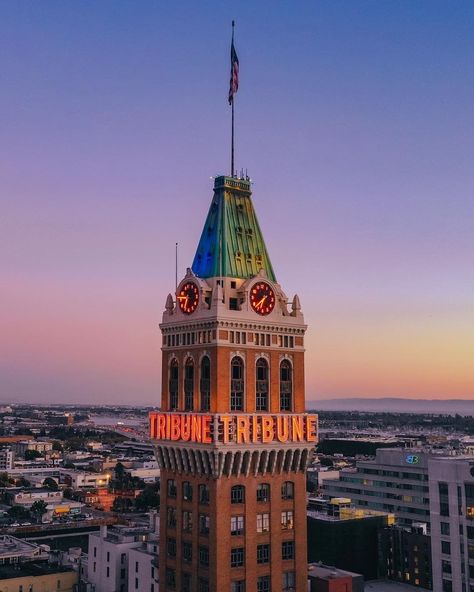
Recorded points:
(356, 122)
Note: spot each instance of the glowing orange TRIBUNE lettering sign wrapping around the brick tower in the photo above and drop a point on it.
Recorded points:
(233, 428)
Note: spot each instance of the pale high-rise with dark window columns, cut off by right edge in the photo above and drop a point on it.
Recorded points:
(451, 483)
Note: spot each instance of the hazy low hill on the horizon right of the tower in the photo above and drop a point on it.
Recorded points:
(396, 405)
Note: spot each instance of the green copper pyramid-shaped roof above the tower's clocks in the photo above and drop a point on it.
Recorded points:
(231, 243)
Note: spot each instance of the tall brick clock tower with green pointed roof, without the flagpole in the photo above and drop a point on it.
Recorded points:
(232, 437)
